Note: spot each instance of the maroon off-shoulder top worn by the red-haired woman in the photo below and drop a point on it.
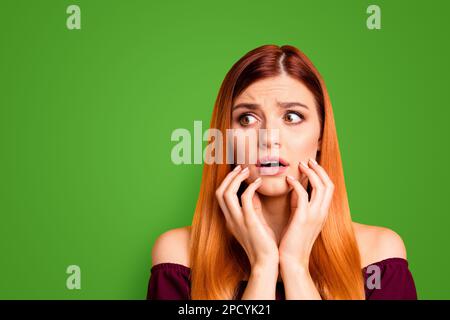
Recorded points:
(171, 281)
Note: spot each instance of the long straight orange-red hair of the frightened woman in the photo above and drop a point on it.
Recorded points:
(218, 262)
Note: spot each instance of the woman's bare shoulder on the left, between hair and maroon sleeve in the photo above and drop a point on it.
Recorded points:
(172, 246)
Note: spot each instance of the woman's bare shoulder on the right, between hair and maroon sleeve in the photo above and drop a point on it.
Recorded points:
(378, 243)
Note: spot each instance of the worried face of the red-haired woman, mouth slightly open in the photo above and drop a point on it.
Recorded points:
(286, 110)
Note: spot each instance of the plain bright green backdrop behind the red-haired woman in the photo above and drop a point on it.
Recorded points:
(86, 118)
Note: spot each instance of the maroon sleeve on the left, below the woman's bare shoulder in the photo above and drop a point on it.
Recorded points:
(169, 281)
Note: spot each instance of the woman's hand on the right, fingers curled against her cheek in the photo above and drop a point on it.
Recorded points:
(307, 216)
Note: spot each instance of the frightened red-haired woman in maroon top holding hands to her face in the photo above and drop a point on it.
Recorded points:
(279, 227)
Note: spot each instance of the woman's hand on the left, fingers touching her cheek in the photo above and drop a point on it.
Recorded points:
(247, 223)
